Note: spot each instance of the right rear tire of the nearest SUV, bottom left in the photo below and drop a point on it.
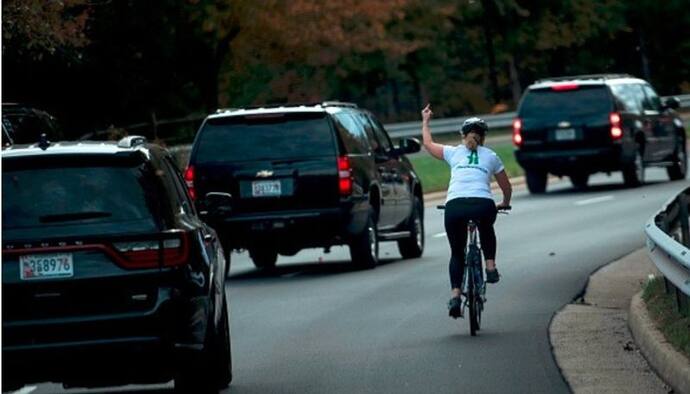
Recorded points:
(212, 370)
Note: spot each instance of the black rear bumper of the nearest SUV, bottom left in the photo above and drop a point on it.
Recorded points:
(115, 348)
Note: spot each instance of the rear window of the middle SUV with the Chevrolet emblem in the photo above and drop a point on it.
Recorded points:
(265, 137)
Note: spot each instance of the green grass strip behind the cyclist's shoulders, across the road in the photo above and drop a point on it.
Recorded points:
(436, 173)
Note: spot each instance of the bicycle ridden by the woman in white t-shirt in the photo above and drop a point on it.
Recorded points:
(474, 286)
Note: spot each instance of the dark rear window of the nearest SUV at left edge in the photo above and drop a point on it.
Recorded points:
(77, 195)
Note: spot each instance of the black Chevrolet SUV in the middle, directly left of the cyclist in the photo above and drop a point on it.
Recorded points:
(306, 176)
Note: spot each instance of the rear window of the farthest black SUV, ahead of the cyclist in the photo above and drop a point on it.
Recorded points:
(549, 103)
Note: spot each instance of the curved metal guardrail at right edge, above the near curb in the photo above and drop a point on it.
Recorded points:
(668, 238)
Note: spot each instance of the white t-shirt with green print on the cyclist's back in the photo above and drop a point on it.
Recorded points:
(471, 172)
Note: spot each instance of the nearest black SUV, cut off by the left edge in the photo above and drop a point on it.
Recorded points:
(108, 274)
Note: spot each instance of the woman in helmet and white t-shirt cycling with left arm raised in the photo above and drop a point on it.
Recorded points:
(469, 198)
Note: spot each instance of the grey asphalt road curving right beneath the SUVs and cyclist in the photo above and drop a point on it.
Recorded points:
(317, 326)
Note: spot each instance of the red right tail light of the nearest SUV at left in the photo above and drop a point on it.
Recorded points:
(145, 254)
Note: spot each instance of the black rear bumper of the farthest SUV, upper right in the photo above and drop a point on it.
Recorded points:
(564, 162)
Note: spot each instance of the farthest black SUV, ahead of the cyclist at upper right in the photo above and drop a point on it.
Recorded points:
(580, 125)
